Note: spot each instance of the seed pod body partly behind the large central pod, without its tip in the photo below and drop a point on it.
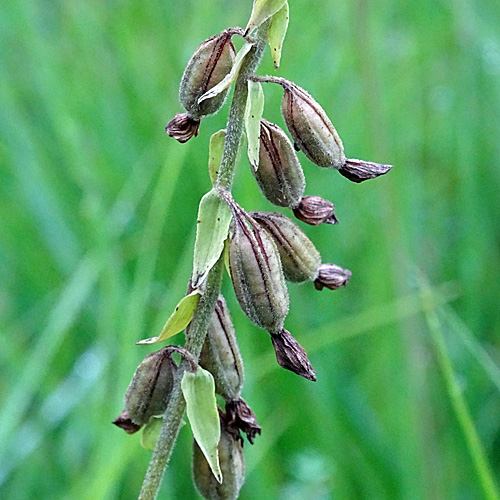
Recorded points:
(299, 258)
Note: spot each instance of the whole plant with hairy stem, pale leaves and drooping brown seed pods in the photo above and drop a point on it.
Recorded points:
(262, 251)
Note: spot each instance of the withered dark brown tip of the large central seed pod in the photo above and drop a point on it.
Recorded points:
(291, 355)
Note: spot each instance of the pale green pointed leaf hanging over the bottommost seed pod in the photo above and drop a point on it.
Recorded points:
(198, 389)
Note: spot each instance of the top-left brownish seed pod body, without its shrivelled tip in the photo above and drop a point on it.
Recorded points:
(211, 62)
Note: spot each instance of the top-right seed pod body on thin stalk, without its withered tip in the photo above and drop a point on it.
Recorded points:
(310, 127)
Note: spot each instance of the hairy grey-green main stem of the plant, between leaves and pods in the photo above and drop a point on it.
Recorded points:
(197, 329)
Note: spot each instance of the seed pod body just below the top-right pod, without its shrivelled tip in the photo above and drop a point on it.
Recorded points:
(279, 173)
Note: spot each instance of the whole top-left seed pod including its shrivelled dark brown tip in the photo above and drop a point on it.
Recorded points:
(210, 63)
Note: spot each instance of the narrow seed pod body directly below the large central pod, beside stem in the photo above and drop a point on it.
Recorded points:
(220, 354)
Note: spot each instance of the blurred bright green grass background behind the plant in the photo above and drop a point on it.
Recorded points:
(97, 229)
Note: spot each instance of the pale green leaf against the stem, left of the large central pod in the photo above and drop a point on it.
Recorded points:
(214, 217)
